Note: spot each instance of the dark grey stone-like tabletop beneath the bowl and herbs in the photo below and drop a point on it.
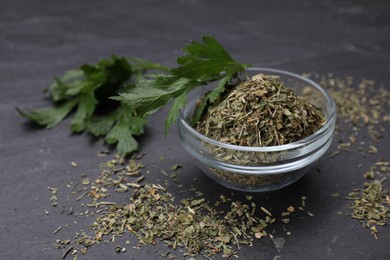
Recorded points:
(41, 39)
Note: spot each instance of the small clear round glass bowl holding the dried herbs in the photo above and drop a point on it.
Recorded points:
(261, 169)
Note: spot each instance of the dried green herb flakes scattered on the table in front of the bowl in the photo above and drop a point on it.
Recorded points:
(192, 227)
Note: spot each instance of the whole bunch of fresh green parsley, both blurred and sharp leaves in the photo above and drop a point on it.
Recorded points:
(113, 98)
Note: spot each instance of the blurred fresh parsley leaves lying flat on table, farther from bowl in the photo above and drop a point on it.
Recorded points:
(87, 91)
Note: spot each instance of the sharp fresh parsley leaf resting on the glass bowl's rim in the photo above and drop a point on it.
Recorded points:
(203, 63)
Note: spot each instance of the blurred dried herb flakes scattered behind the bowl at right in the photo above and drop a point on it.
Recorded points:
(362, 106)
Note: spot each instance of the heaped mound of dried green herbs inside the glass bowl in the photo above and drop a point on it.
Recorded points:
(260, 111)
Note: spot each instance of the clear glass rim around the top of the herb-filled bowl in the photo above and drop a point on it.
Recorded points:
(294, 145)
